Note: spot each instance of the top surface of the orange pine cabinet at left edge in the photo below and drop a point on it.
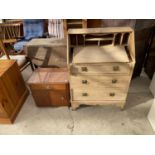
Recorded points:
(5, 65)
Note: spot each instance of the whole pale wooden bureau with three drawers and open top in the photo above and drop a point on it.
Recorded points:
(100, 63)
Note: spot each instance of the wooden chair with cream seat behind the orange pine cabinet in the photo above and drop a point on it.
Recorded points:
(22, 60)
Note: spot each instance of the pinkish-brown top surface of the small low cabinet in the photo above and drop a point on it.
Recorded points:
(49, 76)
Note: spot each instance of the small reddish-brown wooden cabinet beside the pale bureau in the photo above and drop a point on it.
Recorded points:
(50, 86)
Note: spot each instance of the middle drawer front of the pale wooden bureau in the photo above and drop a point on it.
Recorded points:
(90, 82)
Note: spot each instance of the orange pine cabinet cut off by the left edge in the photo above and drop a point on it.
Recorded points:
(13, 91)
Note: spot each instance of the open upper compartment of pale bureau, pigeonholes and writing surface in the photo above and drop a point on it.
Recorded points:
(99, 47)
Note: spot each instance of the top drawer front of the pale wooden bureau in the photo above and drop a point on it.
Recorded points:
(112, 68)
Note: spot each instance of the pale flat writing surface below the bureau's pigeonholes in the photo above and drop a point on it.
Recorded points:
(99, 54)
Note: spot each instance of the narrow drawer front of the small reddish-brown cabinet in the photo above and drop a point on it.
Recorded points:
(48, 86)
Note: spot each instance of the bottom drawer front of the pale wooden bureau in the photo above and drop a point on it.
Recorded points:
(97, 95)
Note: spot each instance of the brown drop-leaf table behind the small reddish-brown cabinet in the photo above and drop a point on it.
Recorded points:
(47, 52)
